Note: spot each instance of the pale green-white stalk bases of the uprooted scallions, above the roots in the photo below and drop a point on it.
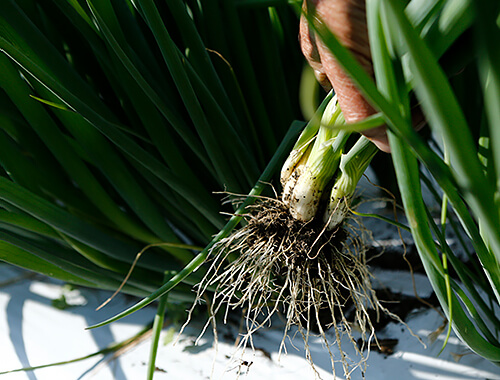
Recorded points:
(305, 188)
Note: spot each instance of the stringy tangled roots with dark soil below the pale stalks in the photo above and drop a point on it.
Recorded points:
(317, 279)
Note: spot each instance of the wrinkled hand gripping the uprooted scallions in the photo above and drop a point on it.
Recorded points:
(347, 19)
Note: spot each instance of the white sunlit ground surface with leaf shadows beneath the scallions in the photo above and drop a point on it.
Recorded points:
(34, 332)
